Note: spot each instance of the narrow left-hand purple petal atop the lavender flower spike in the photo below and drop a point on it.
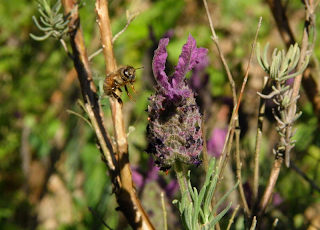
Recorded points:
(159, 64)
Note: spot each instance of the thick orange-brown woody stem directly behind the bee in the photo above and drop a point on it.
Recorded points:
(126, 195)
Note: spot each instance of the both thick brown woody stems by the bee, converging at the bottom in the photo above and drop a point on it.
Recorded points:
(118, 164)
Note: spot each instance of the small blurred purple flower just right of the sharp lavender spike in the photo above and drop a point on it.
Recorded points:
(216, 143)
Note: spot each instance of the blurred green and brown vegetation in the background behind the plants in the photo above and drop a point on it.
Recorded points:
(50, 169)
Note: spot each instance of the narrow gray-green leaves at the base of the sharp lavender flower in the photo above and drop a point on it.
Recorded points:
(198, 214)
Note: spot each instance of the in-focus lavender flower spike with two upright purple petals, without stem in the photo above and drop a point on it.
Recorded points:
(174, 130)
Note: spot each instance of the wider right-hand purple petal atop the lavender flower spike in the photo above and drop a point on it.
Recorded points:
(190, 56)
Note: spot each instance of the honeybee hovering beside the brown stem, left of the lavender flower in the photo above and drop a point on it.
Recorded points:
(122, 76)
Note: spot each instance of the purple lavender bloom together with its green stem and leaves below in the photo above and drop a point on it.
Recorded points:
(175, 136)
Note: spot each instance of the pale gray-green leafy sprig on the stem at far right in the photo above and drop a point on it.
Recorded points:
(281, 69)
